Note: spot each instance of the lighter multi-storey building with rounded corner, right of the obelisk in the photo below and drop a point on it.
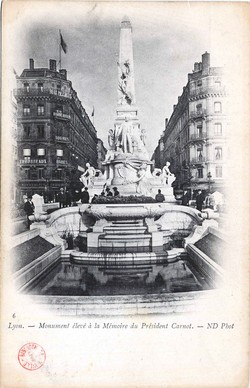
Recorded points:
(195, 137)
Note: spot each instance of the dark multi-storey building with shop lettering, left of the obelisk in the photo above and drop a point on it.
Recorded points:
(56, 137)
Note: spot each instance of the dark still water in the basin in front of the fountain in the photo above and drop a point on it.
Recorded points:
(78, 280)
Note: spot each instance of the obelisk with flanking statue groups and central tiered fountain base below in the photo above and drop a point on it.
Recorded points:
(125, 228)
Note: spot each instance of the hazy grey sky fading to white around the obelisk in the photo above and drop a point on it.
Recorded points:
(167, 39)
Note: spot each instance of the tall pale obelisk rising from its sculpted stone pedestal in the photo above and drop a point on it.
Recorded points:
(127, 165)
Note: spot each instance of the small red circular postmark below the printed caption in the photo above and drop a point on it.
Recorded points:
(31, 356)
